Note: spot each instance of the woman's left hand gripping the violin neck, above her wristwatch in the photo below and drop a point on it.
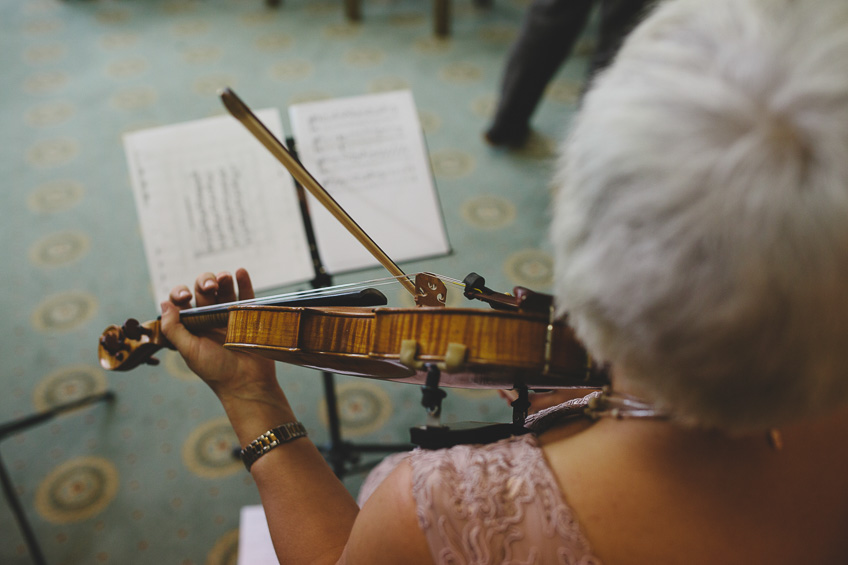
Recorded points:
(230, 374)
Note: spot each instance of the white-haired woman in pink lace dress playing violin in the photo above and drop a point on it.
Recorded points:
(701, 248)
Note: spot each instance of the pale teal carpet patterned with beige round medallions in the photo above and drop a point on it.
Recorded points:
(149, 477)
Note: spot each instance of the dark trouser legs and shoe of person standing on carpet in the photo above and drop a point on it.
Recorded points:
(548, 34)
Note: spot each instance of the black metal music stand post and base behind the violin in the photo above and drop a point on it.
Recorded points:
(343, 456)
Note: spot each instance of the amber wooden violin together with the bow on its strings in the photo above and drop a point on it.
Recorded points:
(516, 343)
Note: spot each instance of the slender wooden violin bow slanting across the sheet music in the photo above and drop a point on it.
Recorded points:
(240, 111)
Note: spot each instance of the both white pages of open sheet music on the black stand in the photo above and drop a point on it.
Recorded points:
(211, 198)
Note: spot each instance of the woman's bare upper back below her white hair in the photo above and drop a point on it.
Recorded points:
(651, 492)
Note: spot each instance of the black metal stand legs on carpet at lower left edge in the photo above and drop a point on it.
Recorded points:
(19, 425)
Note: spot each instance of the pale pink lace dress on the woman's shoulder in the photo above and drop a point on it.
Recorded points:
(493, 504)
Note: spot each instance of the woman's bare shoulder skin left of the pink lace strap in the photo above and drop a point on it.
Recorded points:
(387, 530)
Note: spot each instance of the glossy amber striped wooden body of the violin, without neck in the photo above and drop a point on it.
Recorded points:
(473, 348)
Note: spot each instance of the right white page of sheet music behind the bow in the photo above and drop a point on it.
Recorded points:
(369, 153)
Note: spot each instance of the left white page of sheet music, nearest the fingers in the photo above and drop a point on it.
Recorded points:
(211, 198)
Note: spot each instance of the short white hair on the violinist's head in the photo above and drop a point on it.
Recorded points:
(700, 227)
